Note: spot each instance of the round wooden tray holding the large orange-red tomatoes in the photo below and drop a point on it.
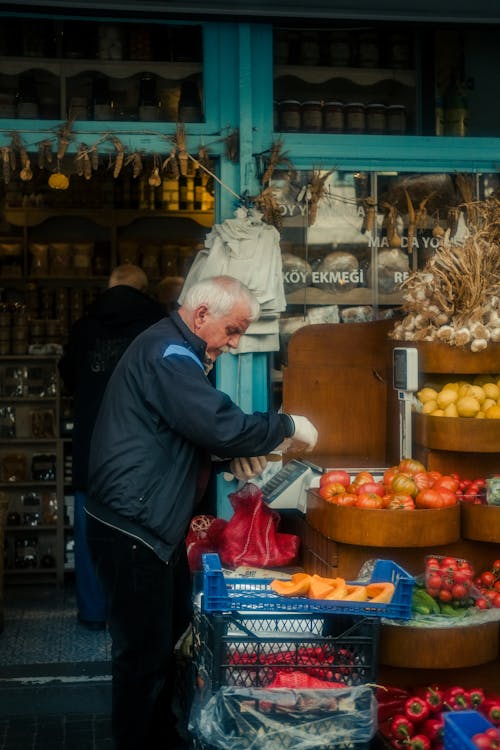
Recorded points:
(383, 528)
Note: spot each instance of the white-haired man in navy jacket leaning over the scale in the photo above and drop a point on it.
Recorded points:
(161, 429)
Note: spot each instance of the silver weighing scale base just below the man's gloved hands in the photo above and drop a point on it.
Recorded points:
(287, 489)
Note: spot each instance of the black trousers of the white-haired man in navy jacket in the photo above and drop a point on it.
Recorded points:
(148, 604)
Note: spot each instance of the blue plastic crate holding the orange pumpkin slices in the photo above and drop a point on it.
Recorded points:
(222, 594)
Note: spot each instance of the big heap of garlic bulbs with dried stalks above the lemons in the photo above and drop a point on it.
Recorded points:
(455, 298)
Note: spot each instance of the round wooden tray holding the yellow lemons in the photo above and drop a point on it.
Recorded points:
(462, 434)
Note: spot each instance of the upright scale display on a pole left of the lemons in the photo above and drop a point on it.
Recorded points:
(405, 381)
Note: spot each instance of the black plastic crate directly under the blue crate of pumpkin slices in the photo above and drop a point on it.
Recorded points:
(250, 650)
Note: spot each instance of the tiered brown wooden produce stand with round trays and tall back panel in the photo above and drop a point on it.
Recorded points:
(340, 376)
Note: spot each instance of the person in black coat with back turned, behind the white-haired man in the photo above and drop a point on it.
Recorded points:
(95, 344)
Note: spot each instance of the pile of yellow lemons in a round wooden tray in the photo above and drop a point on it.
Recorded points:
(479, 398)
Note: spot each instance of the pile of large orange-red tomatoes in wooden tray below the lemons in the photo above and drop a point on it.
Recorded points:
(403, 487)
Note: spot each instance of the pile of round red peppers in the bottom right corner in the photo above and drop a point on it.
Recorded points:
(414, 718)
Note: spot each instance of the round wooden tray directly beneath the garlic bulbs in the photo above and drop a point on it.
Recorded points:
(436, 357)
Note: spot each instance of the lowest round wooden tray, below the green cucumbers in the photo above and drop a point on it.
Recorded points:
(438, 648)
